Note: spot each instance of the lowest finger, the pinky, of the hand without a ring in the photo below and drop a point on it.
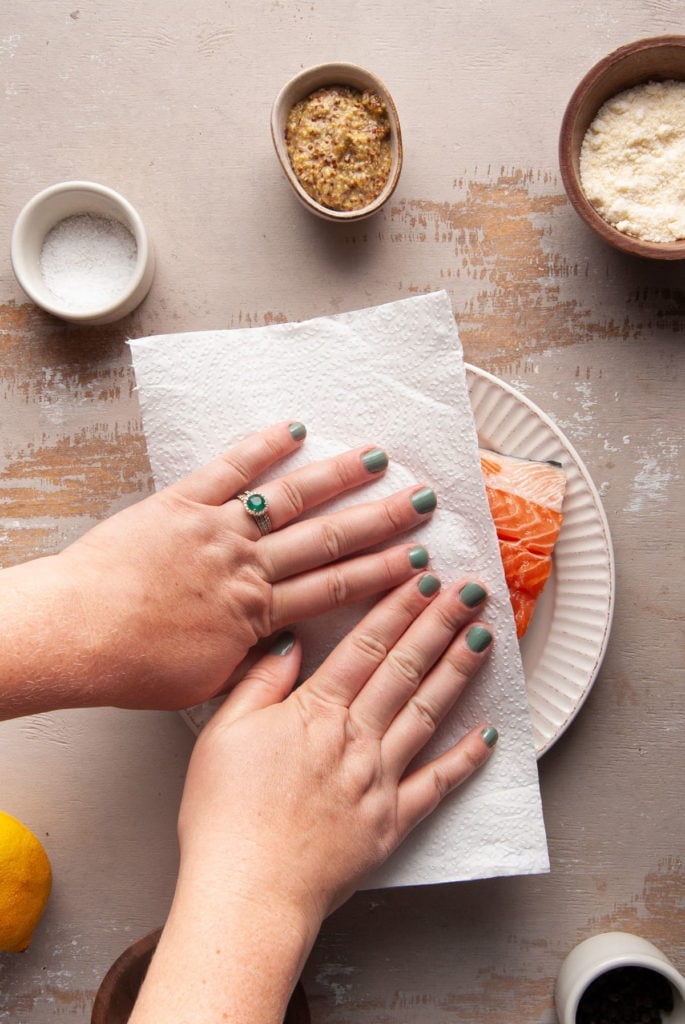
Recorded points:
(421, 792)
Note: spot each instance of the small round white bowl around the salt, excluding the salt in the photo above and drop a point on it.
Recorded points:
(55, 205)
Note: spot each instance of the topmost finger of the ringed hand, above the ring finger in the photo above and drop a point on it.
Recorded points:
(231, 473)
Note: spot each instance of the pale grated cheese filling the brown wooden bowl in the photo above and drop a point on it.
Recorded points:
(633, 161)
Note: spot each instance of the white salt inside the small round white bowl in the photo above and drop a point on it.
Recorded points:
(89, 261)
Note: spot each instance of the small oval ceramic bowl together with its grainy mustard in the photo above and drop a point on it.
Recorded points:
(335, 154)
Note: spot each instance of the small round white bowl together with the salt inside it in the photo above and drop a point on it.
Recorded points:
(81, 252)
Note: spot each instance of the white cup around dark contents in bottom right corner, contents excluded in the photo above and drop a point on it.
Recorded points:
(601, 954)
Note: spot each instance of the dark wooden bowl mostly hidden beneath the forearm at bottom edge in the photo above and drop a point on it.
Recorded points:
(119, 991)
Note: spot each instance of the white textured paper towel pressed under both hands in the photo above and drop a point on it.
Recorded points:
(393, 375)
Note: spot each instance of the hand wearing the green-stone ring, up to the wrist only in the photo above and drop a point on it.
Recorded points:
(175, 591)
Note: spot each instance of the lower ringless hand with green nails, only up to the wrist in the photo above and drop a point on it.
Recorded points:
(291, 801)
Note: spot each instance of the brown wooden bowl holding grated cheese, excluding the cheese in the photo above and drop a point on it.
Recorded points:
(646, 61)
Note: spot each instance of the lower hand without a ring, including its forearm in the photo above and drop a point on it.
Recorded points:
(292, 798)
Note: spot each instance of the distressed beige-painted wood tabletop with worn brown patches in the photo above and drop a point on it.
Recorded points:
(169, 103)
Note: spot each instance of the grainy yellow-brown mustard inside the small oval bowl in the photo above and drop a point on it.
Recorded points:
(338, 141)
